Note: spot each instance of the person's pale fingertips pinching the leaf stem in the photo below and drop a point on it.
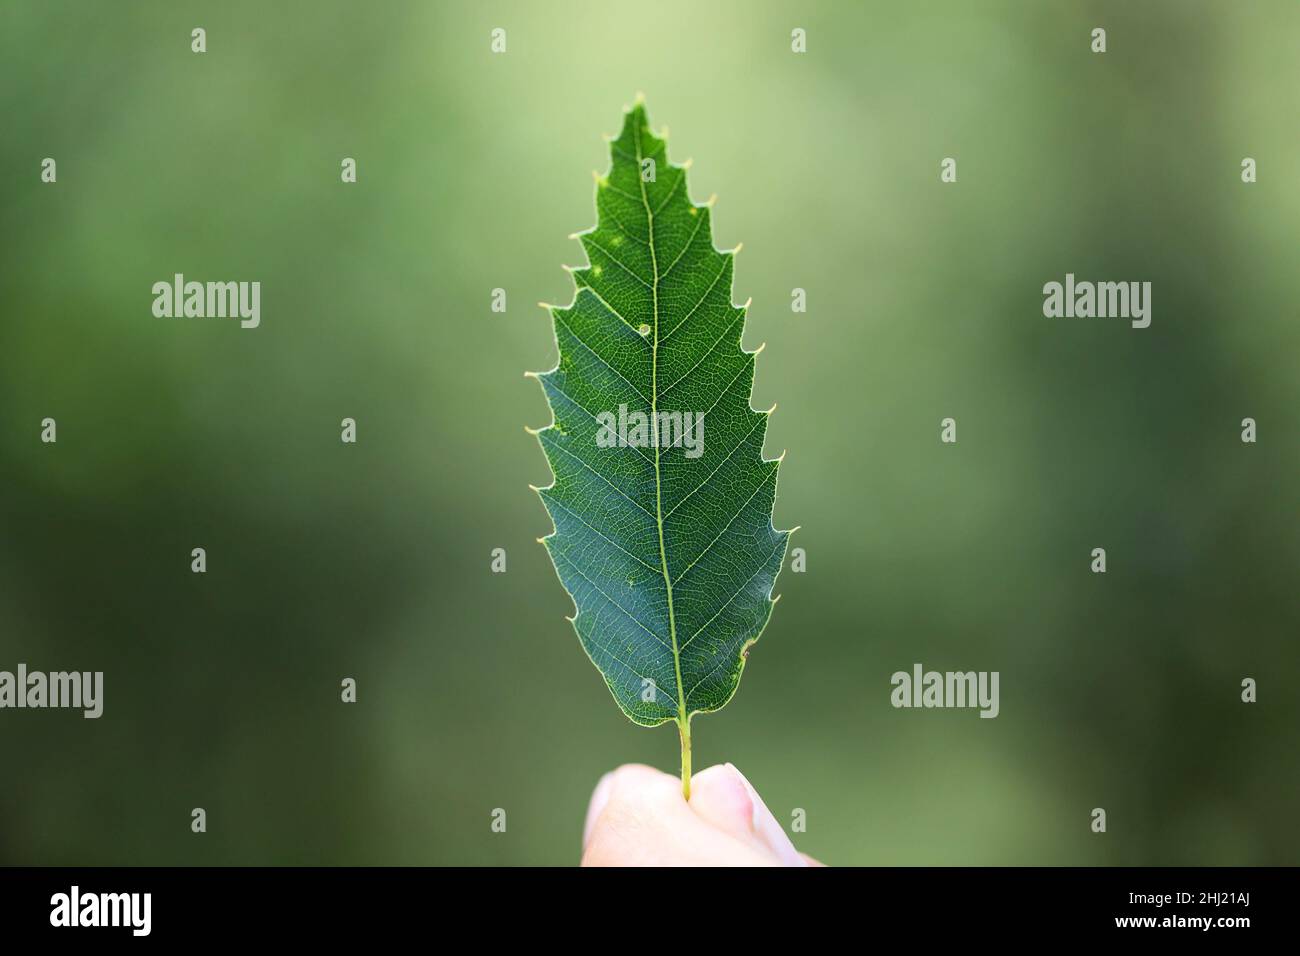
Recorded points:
(639, 819)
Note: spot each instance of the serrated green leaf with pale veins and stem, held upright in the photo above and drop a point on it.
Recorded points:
(666, 547)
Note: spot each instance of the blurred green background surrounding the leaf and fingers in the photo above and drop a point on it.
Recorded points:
(925, 301)
